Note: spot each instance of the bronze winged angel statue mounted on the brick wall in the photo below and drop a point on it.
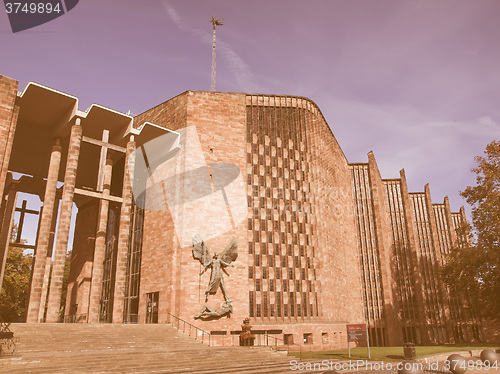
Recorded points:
(216, 264)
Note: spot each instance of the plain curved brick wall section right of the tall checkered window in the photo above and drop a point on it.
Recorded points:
(336, 249)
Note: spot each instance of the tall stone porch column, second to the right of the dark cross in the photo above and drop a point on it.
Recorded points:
(64, 223)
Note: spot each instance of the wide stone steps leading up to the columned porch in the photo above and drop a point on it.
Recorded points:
(123, 349)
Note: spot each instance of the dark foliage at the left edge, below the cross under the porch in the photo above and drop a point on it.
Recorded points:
(15, 287)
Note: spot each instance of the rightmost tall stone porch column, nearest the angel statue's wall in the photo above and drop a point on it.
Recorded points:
(124, 232)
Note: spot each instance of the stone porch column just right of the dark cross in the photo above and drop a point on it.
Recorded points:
(40, 261)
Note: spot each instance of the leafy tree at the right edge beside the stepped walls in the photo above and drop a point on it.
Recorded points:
(475, 268)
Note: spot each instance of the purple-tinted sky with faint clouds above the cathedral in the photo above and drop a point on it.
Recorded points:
(417, 82)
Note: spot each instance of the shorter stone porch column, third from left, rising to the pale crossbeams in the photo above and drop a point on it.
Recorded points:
(100, 247)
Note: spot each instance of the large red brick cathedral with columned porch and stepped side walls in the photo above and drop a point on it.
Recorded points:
(306, 241)
